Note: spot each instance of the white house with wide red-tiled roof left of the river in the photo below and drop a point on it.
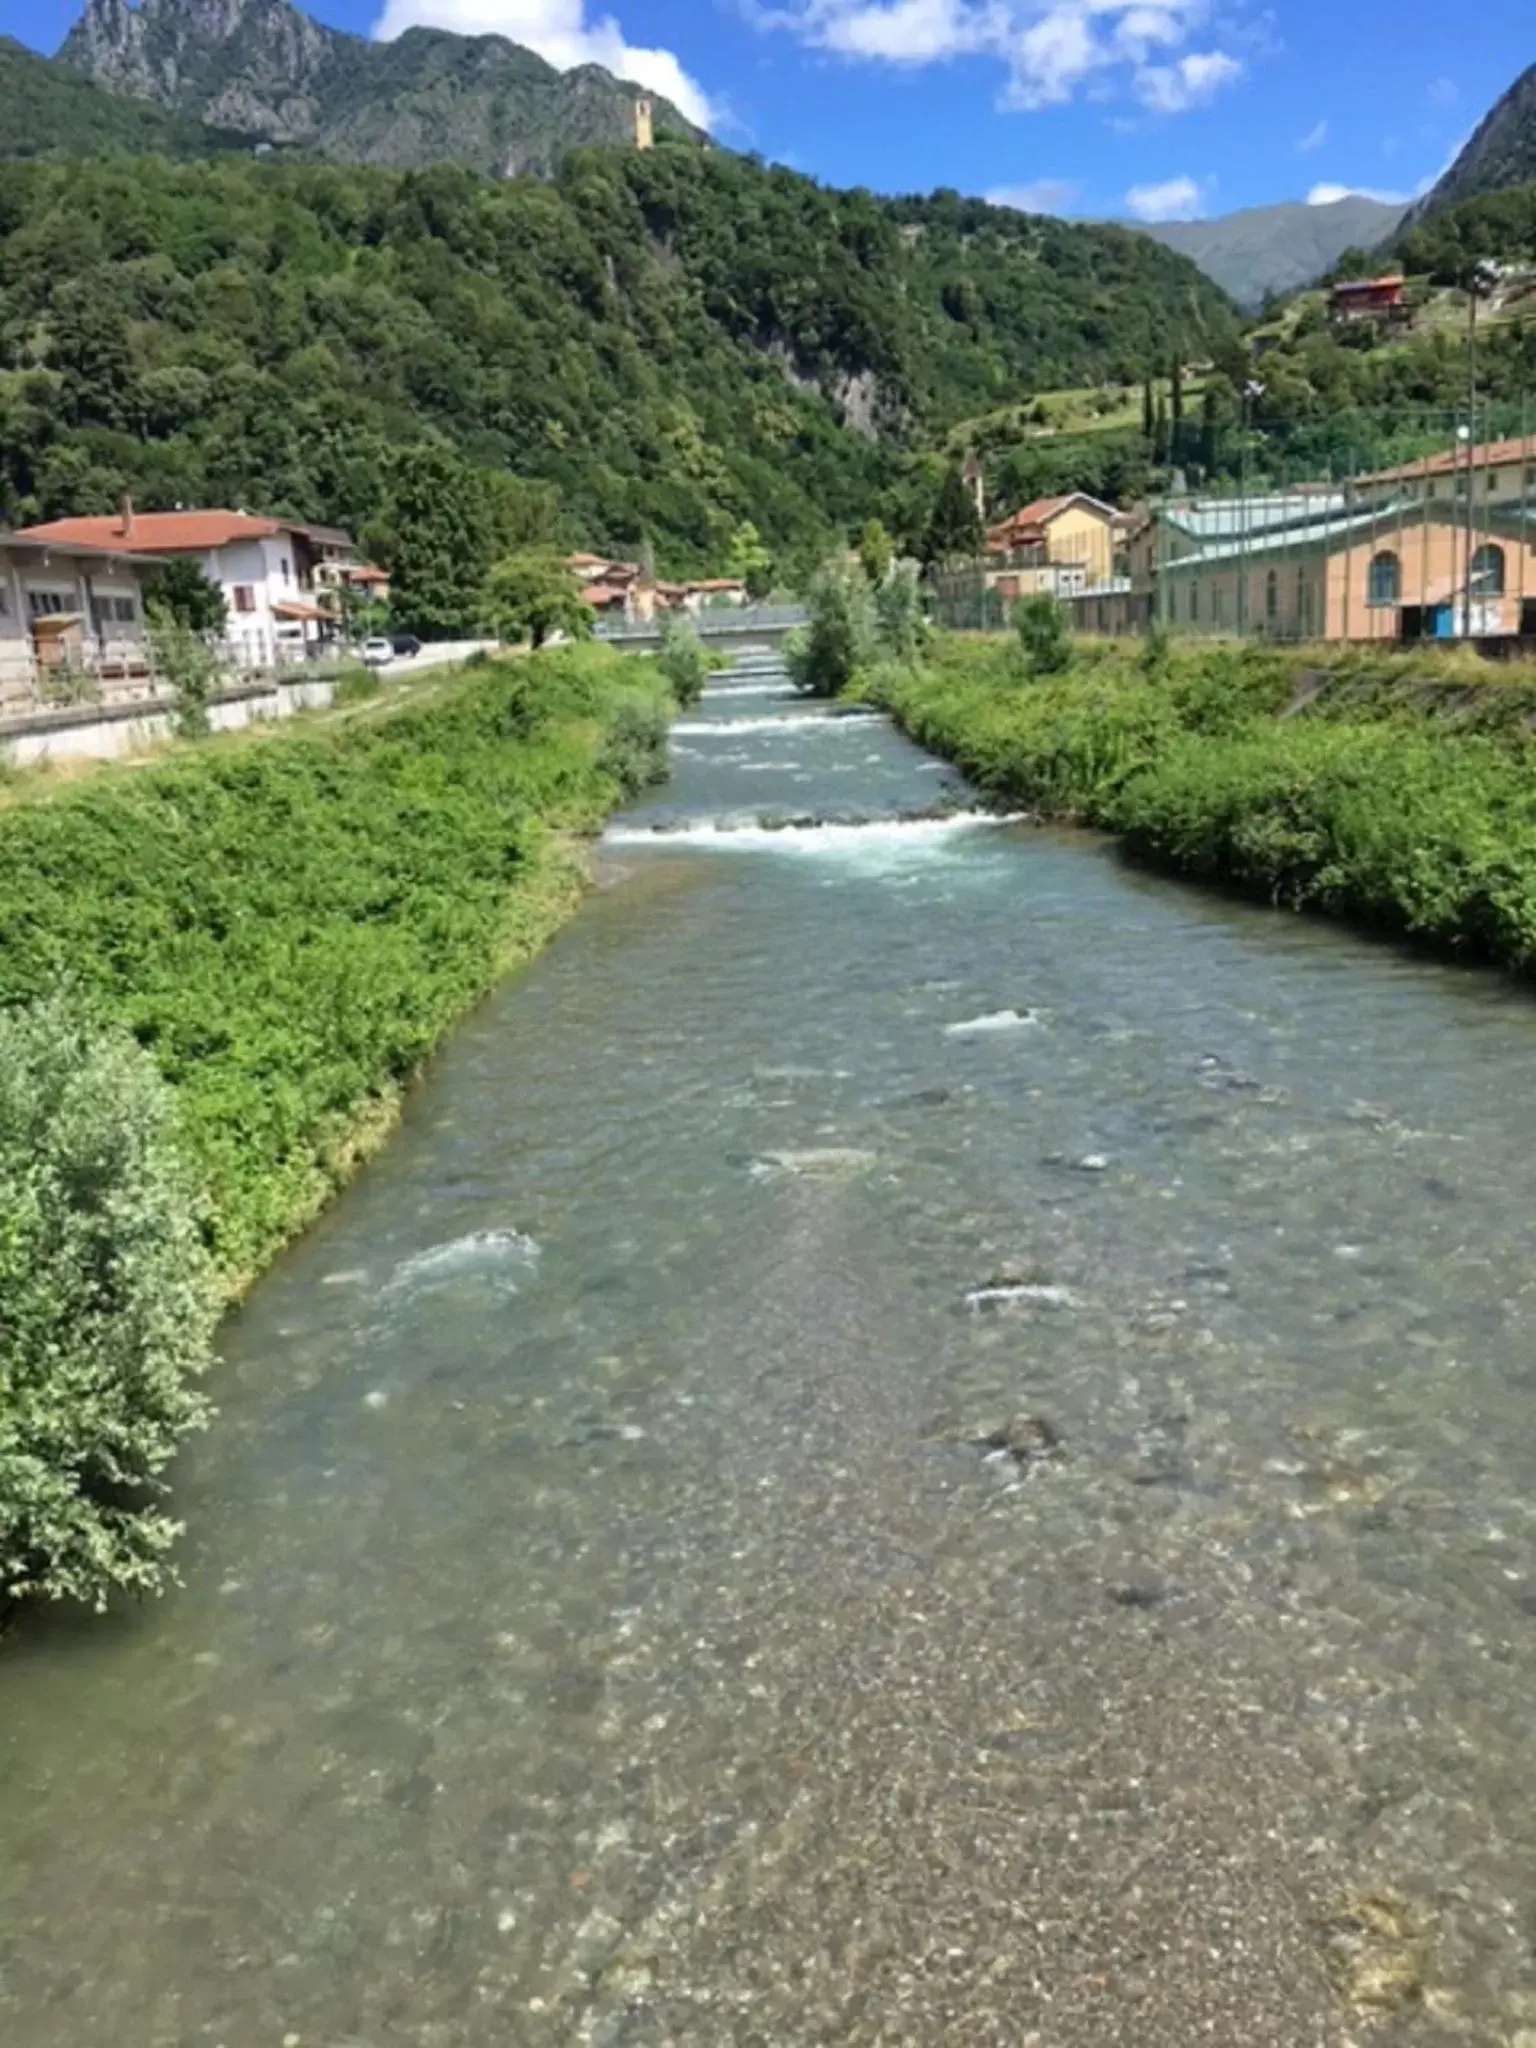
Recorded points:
(267, 568)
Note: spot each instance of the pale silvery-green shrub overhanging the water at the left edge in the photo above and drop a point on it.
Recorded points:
(108, 1308)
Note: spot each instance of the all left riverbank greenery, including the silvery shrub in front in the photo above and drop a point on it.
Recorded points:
(218, 974)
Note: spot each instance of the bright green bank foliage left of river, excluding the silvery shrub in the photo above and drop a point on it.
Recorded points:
(292, 923)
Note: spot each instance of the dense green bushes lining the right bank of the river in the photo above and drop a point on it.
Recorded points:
(1369, 790)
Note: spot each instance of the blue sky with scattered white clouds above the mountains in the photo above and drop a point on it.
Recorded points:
(1105, 108)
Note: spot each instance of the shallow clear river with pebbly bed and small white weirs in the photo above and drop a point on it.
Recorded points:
(921, 1441)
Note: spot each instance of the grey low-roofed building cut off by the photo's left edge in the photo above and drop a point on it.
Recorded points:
(71, 626)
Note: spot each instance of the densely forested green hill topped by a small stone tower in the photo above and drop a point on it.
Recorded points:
(677, 341)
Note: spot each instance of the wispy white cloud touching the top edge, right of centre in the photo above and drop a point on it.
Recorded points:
(1048, 48)
